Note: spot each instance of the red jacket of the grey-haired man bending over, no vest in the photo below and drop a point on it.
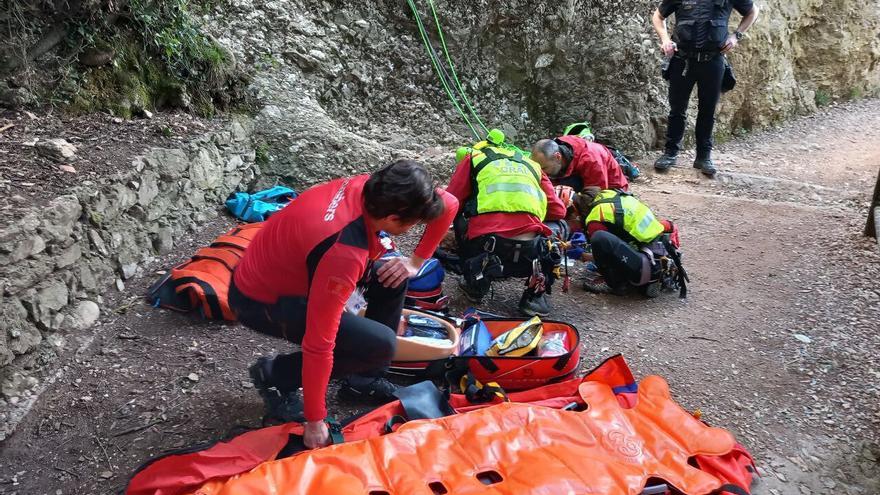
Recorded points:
(594, 164)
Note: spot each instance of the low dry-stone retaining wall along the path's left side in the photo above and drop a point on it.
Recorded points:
(57, 261)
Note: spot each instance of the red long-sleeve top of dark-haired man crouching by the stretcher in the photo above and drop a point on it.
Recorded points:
(319, 247)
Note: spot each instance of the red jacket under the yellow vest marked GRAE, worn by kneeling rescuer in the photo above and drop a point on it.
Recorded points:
(503, 224)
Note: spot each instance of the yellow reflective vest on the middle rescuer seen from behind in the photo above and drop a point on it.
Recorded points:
(506, 182)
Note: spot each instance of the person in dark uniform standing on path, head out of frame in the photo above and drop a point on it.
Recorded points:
(697, 51)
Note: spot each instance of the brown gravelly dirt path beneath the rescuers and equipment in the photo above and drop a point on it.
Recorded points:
(776, 342)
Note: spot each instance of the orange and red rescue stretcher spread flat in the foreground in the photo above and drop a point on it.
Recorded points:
(581, 436)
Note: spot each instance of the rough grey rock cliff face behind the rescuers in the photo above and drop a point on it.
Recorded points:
(354, 77)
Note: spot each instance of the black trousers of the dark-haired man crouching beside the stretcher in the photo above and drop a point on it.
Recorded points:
(364, 345)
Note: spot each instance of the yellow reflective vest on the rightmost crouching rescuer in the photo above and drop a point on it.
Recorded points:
(626, 213)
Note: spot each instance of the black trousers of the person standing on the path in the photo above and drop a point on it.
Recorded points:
(683, 75)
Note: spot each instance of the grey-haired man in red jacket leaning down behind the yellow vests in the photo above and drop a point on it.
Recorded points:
(579, 163)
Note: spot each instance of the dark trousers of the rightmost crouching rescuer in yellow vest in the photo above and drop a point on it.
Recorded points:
(619, 263)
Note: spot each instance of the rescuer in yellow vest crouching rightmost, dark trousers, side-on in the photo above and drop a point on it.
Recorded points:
(622, 232)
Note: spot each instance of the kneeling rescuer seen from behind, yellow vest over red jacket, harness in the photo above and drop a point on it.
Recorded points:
(504, 199)
